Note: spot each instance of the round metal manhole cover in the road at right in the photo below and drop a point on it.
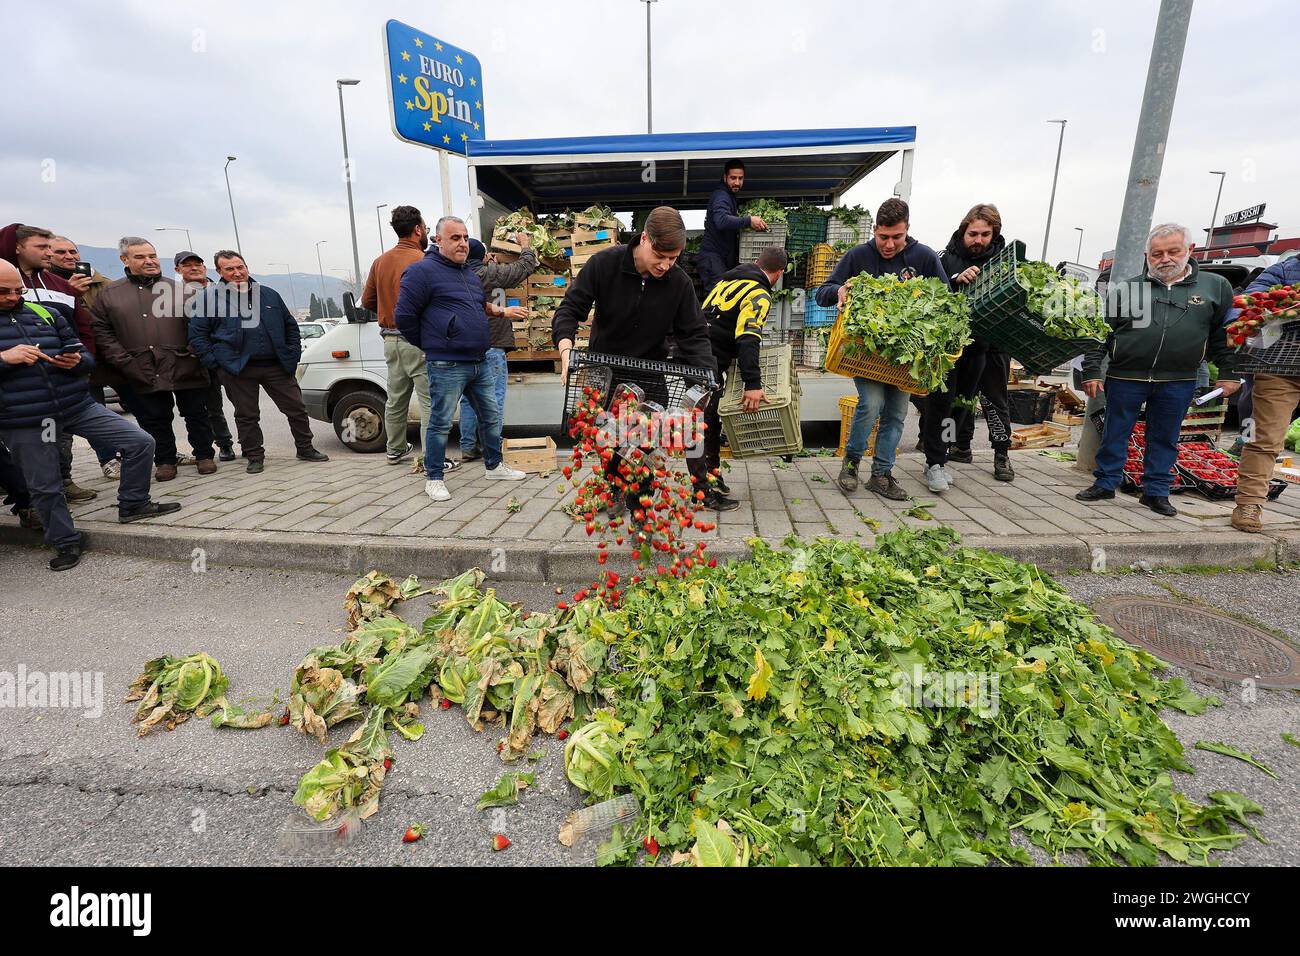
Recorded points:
(1203, 641)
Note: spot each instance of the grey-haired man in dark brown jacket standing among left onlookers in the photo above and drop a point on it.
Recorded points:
(141, 330)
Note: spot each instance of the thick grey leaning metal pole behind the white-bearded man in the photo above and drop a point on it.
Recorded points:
(1158, 109)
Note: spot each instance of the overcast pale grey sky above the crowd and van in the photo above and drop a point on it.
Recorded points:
(128, 110)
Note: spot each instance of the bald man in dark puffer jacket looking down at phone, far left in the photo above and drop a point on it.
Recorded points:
(44, 395)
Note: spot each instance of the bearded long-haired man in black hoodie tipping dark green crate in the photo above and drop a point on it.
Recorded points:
(983, 370)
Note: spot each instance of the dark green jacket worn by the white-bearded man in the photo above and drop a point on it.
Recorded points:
(1164, 335)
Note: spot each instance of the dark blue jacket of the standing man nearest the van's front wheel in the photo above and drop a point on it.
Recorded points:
(220, 315)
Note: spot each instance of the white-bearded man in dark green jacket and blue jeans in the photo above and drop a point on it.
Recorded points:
(1164, 325)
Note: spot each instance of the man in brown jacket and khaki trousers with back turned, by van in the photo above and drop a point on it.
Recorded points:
(408, 369)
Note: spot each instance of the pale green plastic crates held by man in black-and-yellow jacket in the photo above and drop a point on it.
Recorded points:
(774, 430)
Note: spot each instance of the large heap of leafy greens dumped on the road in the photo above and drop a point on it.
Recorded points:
(770, 695)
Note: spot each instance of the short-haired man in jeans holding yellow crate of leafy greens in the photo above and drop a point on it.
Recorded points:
(891, 253)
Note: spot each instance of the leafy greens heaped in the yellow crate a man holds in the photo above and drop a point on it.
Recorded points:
(918, 323)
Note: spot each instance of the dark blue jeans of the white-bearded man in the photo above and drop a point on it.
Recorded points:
(1167, 408)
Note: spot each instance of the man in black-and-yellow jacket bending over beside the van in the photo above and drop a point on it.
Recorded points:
(736, 310)
